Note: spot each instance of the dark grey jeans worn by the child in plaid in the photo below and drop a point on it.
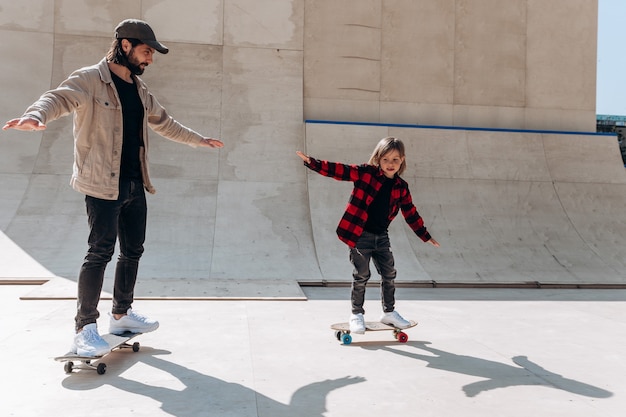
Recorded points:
(378, 249)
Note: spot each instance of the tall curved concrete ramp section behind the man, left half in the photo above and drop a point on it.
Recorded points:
(233, 221)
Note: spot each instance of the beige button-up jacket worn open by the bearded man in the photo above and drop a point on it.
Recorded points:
(90, 93)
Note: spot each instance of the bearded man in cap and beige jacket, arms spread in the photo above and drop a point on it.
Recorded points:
(113, 110)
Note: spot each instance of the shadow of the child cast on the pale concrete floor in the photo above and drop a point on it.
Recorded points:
(496, 374)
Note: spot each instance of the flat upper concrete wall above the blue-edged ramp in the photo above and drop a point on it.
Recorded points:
(525, 64)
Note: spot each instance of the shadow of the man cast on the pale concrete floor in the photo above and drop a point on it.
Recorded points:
(202, 394)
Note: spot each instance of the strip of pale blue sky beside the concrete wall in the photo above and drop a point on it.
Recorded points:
(611, 70)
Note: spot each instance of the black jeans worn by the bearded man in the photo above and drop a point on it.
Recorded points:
(124, 218)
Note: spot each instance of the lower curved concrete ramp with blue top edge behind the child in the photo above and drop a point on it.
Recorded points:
(507, 207)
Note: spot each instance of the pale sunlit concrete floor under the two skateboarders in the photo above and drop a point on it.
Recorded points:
(474, 353)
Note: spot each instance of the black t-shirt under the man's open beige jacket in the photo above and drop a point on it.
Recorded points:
(132, 115)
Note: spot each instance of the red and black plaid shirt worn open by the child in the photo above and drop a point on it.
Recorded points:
(367, 181)
